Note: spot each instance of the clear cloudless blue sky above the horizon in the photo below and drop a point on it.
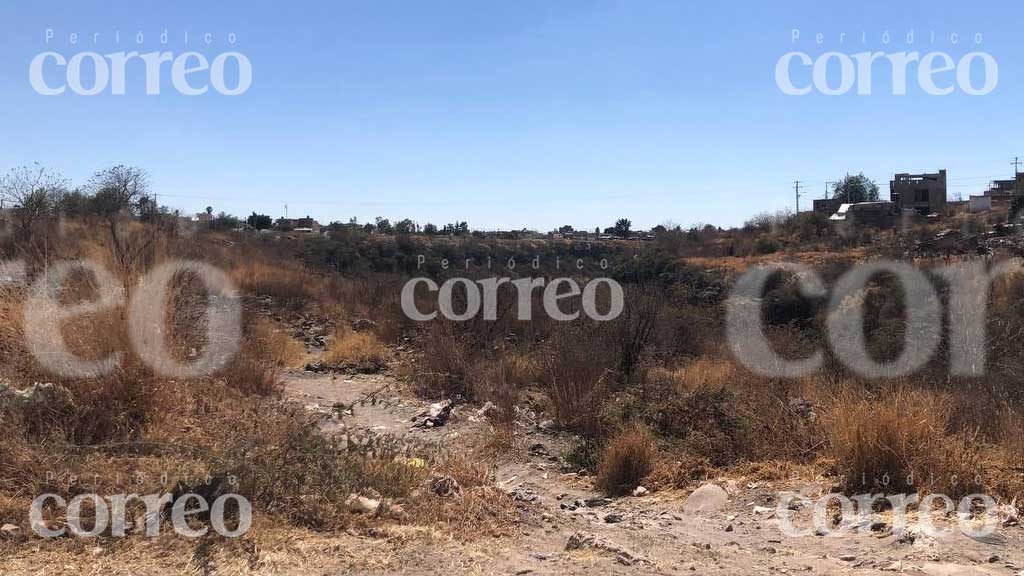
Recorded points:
(515, 114)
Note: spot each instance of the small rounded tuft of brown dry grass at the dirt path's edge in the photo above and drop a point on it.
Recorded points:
(627, 460)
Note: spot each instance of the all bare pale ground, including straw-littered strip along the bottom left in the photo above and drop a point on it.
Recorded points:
(646, 534)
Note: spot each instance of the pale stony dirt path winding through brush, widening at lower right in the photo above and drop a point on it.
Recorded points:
(649, 534)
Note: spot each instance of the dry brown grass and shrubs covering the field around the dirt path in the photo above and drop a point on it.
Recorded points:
(653, 398)
